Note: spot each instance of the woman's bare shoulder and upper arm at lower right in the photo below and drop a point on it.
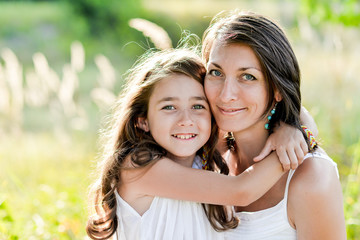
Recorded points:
(315, 204)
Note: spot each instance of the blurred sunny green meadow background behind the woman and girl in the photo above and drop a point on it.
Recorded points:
(62, 65)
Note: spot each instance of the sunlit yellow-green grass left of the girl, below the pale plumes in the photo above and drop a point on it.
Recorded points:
(43, 187)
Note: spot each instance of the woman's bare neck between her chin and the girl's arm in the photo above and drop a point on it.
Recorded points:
(249, 144)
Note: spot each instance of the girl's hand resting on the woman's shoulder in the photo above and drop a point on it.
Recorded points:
(289, 144)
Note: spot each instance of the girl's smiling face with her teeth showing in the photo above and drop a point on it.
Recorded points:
(179, 116)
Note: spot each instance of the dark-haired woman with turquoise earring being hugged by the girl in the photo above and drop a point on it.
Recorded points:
(253, 83)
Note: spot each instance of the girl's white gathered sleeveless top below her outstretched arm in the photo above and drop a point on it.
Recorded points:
(166, 219)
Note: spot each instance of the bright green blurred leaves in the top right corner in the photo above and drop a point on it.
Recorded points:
(346, 12)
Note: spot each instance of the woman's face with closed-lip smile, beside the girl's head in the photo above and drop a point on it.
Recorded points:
(235, 87)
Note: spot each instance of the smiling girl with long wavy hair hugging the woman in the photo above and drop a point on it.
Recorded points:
(162, 135)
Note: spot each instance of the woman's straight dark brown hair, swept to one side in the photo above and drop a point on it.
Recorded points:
(275, 54)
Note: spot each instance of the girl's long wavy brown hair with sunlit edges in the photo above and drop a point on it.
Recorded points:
(125, 139)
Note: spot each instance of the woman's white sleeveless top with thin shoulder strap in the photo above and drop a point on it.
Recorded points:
(271, 223)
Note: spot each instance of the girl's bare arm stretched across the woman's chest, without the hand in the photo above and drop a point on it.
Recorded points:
(168, 179)
